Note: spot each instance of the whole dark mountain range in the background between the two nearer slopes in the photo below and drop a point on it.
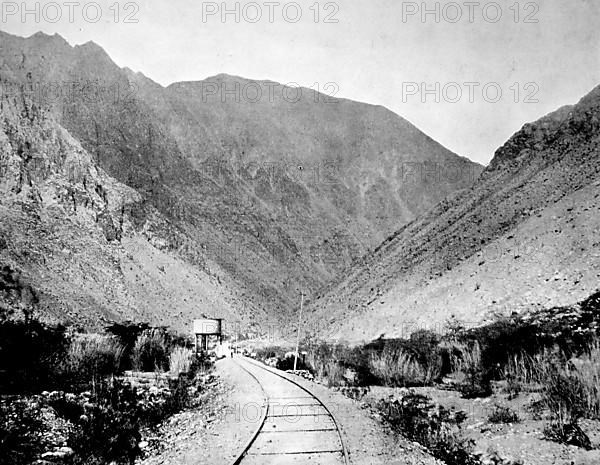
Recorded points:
(270, 195)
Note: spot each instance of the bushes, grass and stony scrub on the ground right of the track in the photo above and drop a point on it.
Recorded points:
(539, 372)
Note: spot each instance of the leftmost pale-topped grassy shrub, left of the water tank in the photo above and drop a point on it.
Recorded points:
(93, 356)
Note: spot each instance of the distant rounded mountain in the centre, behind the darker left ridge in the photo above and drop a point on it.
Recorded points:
(329, 160)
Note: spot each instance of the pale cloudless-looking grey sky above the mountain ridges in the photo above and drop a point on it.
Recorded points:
(546, 51)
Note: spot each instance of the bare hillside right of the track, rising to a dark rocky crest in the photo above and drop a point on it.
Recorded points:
(526, 234)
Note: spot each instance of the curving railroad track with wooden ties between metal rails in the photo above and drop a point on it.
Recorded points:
(295, 427)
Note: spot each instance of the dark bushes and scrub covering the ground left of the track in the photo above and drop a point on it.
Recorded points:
(73, 398)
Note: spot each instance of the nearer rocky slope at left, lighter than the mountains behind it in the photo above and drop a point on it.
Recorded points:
(71, 240)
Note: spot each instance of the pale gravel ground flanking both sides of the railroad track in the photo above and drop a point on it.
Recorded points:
(238, 417)
